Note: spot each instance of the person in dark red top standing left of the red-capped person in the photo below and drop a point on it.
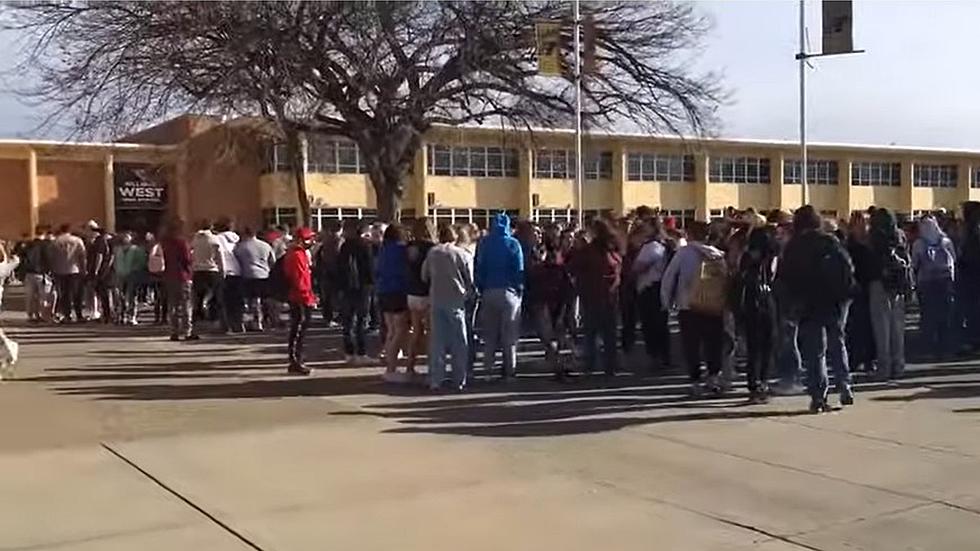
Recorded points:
(178, 277)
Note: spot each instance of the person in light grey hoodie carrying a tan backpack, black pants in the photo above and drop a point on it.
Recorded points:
(696, 284)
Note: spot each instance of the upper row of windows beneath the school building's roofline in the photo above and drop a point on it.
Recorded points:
(333, 156)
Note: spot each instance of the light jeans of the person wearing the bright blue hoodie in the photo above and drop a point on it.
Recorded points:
(500, 319)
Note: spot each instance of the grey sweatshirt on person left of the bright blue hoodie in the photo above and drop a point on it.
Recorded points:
(449, 270)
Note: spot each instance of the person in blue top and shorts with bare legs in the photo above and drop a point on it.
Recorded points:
(392, 287)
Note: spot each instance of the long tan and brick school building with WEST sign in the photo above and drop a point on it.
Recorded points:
(200, 167)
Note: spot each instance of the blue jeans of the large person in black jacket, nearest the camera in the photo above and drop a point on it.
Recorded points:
(821, 341)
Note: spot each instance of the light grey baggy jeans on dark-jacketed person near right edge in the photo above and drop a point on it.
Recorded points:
(888, 325)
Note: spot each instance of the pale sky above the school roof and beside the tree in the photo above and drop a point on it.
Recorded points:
(917, 85)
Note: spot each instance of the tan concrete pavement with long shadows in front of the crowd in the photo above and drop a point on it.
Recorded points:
(120, 439)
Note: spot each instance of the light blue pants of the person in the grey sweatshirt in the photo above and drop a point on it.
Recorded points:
(448, 334)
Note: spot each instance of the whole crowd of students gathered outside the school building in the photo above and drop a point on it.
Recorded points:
(791, 293)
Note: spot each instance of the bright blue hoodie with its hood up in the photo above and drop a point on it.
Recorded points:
(499, 259)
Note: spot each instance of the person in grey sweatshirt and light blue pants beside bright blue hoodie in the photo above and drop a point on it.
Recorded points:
(448, 269)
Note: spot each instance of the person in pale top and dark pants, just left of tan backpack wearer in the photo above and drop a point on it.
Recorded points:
(648, 268)
